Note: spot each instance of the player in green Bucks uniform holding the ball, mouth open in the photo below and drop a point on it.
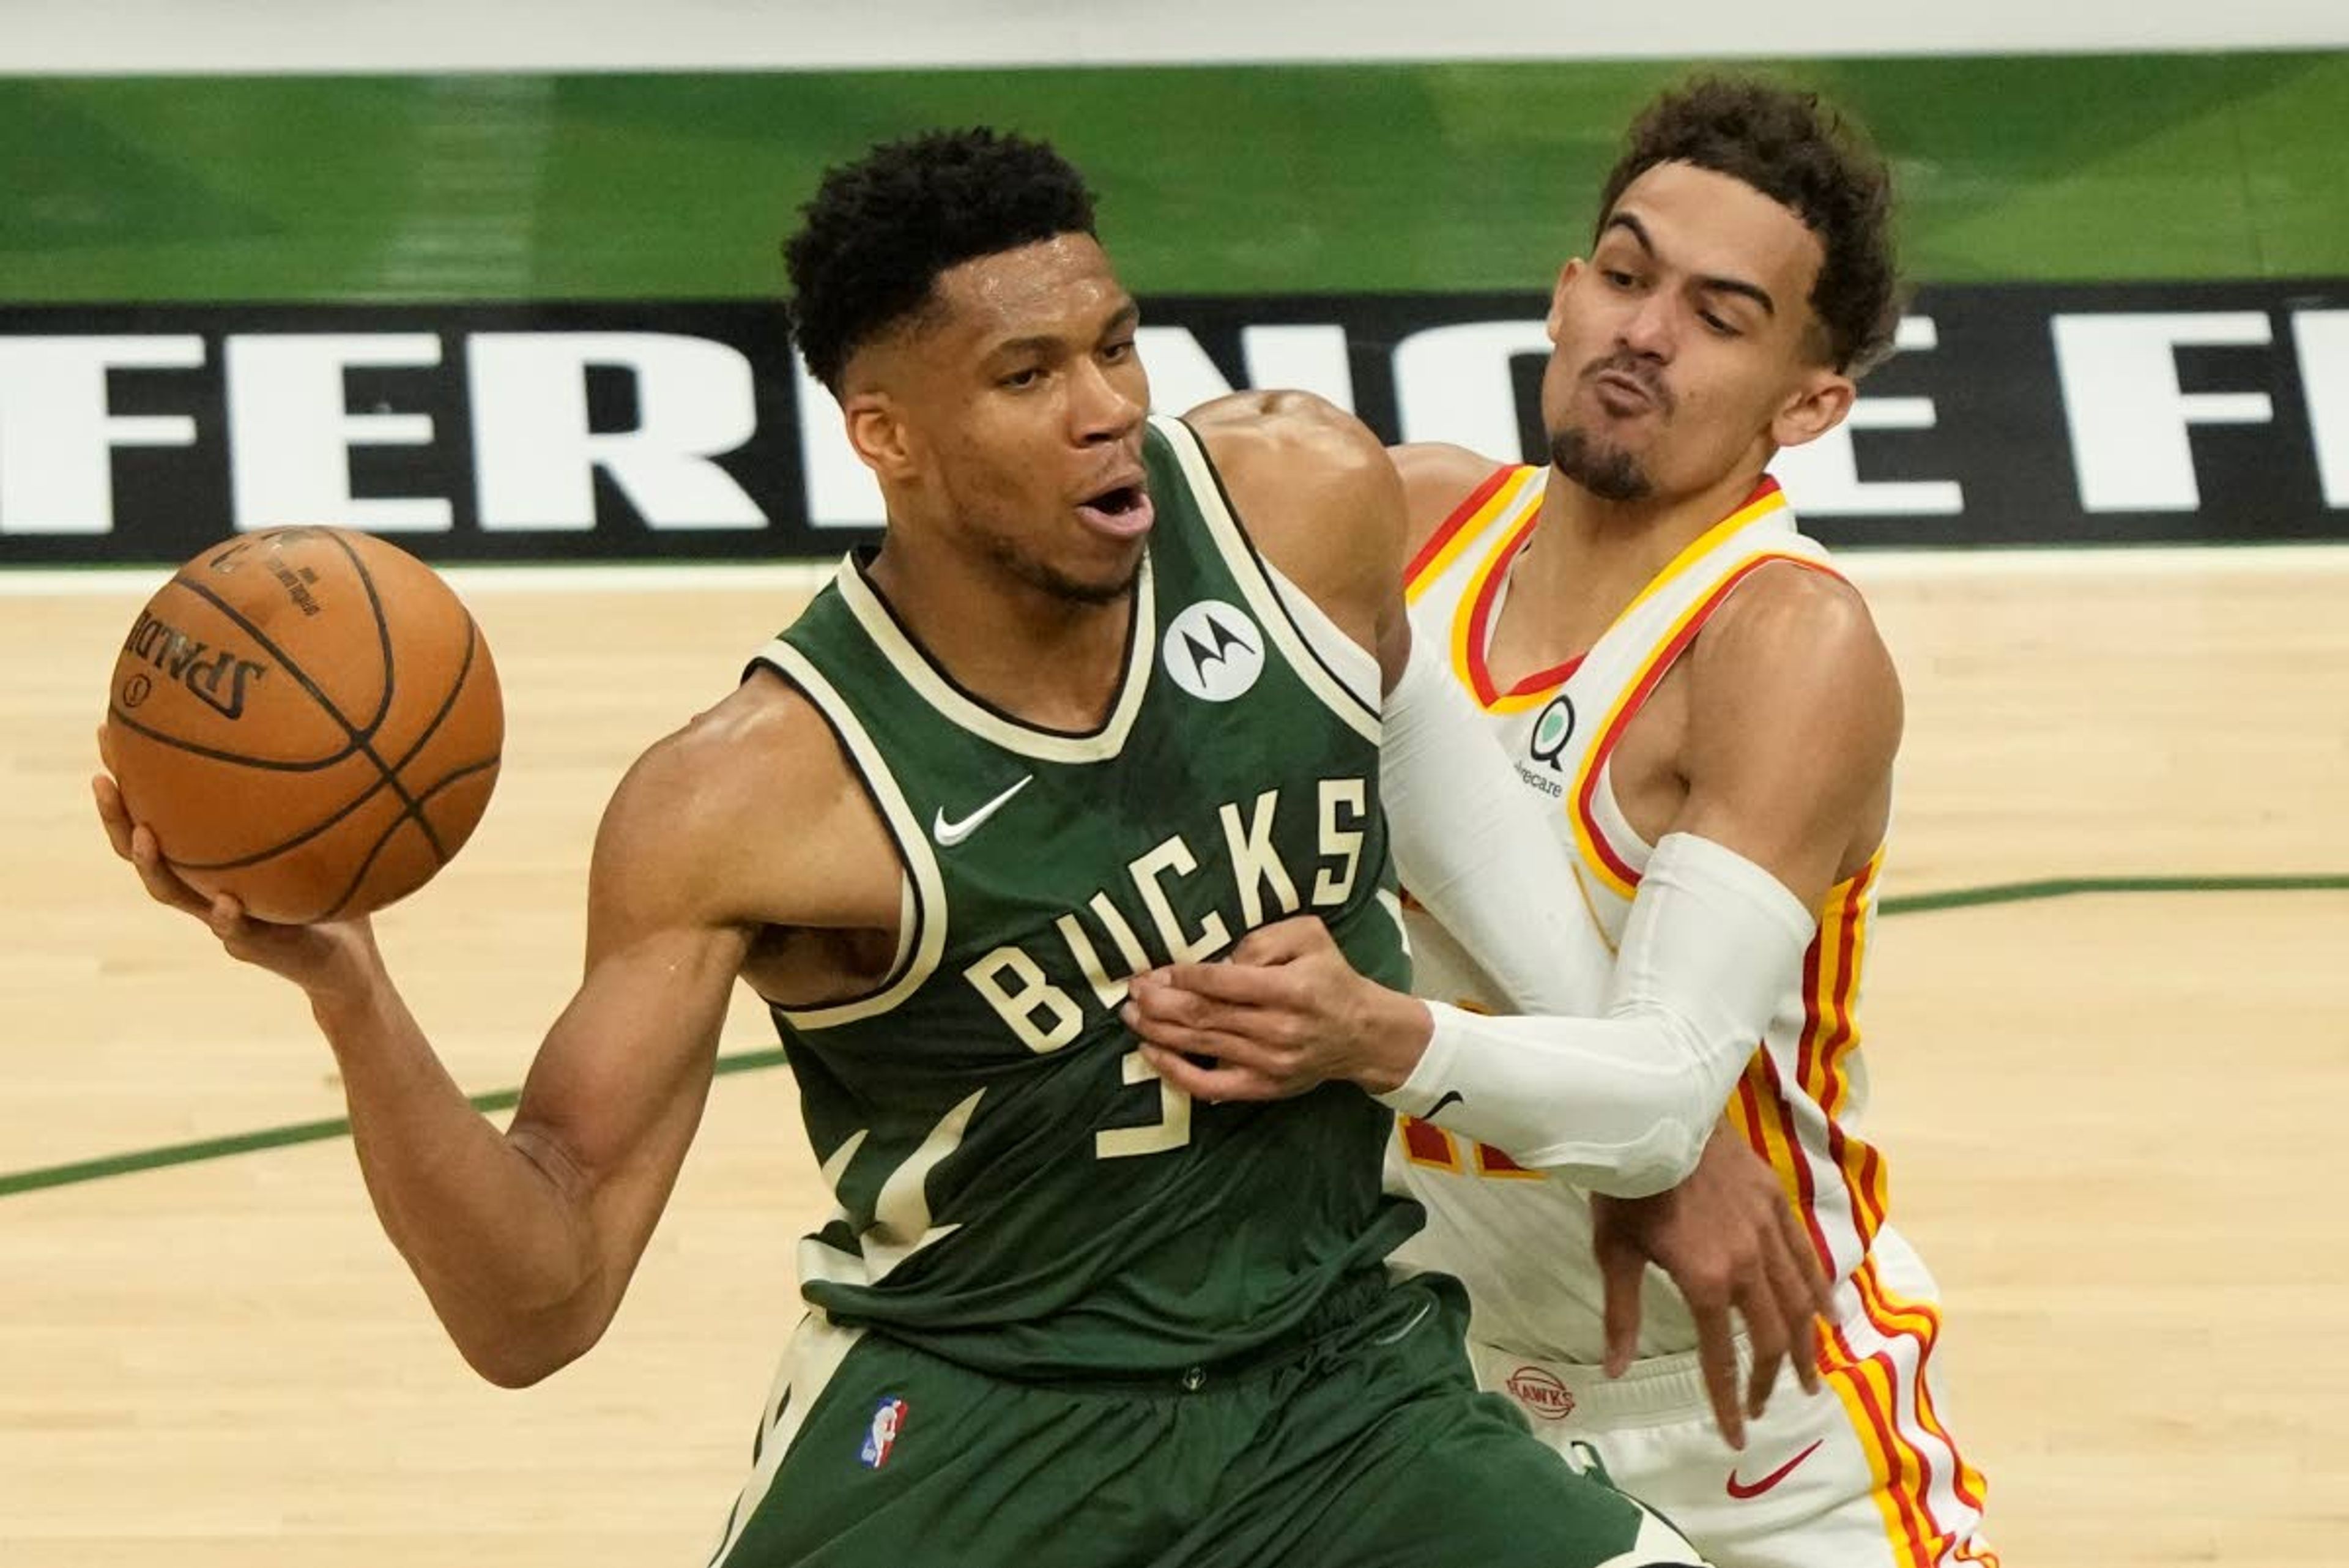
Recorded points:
(1108, 697)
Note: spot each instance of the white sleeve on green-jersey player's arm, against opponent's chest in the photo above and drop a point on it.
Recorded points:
(1474, 847)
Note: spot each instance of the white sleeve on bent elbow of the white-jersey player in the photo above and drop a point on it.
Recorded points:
(1624, 1104)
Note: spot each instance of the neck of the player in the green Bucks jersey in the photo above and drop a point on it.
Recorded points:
(1035, 655)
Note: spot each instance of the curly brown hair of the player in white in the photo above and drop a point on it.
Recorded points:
(1812, 161)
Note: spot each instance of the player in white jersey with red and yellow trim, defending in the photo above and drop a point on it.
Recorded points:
(1711, 716)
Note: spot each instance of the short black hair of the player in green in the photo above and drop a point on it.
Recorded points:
(882, 229)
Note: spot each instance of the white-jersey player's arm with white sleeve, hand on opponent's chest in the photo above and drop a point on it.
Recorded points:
(1796, 716)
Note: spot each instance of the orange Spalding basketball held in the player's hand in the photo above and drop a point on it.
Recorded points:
(309, 721)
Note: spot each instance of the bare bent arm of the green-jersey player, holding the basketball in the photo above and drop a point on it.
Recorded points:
(525, 1240)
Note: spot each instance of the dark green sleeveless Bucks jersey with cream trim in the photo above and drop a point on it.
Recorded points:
(1016, 1188)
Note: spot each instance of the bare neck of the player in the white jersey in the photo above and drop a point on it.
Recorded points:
(1589, 558)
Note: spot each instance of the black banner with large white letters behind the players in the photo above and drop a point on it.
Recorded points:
(600, 431)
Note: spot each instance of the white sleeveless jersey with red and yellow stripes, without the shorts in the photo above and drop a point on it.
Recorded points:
(1523, 1240)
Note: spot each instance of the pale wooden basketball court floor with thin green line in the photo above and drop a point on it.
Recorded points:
(2111, 1087)
